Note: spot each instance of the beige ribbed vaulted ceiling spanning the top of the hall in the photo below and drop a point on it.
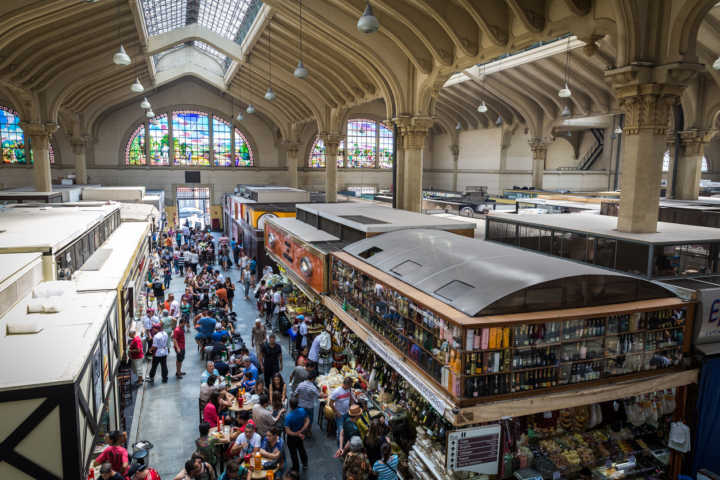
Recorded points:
(56, 55)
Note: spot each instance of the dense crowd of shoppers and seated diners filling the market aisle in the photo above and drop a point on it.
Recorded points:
(284, 411)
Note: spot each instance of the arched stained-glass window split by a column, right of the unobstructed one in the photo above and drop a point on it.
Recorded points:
(369, 145)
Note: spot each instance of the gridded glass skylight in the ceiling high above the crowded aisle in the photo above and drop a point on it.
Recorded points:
(230, 19)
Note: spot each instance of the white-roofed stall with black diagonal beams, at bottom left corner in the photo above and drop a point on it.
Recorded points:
(60, 397)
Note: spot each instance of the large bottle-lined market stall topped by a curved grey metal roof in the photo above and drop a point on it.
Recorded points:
(479, 343)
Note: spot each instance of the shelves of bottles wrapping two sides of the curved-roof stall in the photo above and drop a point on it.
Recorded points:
(484, 362)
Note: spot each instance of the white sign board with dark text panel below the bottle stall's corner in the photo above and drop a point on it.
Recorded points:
(474, 449)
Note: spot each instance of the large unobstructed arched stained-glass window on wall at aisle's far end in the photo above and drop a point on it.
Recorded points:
(191, 138)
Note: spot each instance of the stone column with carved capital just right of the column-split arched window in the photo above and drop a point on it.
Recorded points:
(413, 131)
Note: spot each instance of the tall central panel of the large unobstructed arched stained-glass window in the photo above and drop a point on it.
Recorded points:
(191, 138)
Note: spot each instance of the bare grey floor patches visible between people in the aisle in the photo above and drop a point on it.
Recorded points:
(169, 412)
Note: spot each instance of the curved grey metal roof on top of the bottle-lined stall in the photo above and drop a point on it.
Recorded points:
(485, 278)
